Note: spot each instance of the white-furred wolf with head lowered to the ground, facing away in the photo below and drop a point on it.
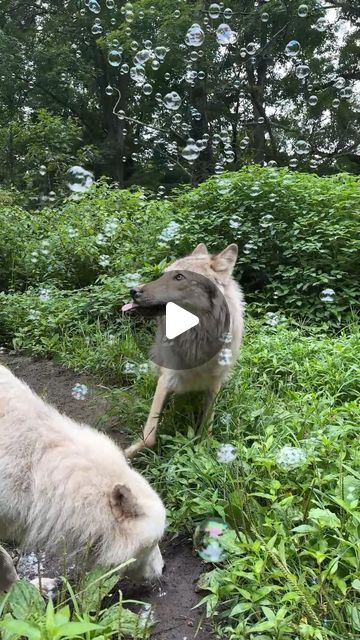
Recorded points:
(67, 487)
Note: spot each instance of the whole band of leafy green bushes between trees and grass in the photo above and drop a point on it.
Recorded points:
(298, 234)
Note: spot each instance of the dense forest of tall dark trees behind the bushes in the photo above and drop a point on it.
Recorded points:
(157, 92)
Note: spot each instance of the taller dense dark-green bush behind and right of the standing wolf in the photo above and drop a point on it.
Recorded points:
(298, 234)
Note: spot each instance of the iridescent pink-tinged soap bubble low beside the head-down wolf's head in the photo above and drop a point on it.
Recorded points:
(208, 540)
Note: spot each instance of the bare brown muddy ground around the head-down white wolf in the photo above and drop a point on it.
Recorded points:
(174, 601)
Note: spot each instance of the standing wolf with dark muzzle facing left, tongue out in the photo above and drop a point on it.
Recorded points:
(173, 286)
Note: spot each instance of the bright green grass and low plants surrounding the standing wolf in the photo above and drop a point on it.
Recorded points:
(290, 565)
